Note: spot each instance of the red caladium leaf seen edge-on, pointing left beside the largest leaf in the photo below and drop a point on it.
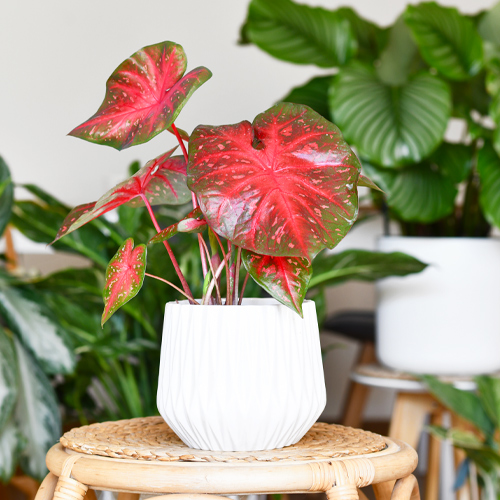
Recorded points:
(162, 181)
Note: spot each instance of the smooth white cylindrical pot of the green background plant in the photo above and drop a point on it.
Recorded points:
(446, 319)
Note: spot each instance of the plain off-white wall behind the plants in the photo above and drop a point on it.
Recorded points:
(57, 55)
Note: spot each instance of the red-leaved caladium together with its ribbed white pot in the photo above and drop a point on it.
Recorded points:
(269, 195)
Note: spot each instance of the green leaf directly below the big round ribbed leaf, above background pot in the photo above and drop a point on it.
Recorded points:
(418, 193)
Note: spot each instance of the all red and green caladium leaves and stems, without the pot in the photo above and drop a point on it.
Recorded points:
(278, 190)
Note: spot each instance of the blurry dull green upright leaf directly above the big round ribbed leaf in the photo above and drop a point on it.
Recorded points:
(397, 58)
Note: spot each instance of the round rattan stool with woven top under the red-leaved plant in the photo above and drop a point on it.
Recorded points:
(145, 456)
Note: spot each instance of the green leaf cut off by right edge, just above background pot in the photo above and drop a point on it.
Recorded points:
(488, 167)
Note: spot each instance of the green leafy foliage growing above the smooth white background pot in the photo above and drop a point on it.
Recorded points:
(392, 91)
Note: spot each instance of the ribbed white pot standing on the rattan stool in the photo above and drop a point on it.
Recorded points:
(240, 378)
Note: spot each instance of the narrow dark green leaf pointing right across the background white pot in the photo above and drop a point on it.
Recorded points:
(362, 265)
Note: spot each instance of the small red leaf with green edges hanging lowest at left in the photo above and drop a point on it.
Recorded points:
(124, 277)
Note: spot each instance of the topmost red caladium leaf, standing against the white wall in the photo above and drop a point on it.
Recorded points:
(144, 95)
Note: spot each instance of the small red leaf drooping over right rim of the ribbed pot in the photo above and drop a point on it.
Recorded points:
(284, 278)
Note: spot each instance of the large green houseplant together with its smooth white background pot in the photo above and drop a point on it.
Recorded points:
(393, 92)
